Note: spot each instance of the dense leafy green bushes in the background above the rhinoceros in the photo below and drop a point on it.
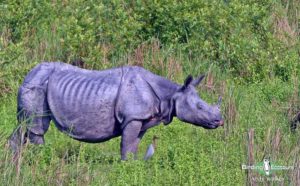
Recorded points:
(240, 36)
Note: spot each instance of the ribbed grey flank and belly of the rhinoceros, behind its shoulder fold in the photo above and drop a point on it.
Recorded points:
(82, 104)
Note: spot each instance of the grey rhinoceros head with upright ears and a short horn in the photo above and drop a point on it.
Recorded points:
(190, 108)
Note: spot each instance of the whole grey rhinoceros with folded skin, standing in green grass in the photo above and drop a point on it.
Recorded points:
(95, 106)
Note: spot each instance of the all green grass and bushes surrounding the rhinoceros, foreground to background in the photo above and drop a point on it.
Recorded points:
(249, 49)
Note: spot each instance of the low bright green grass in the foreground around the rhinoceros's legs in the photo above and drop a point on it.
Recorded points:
(186, 155)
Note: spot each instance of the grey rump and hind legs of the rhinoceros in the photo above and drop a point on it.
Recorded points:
(33, 110)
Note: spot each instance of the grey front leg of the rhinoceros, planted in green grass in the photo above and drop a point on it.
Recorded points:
(131, 138)
